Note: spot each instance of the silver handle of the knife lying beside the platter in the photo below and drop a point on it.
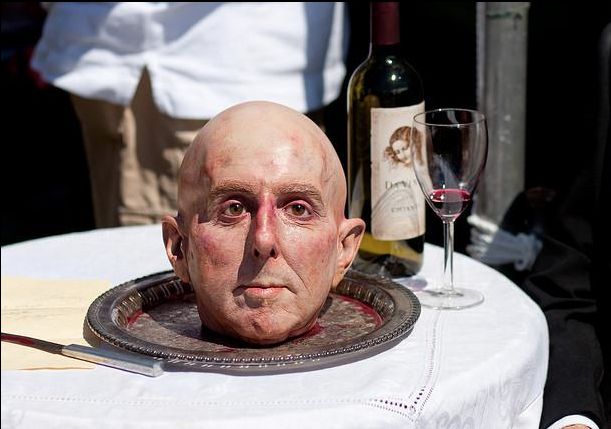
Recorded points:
(121, 360)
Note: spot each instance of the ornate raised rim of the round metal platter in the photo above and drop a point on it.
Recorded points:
(102, 326)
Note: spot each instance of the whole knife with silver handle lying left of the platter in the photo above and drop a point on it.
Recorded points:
(121, 360)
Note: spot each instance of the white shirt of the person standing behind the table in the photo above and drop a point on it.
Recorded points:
(202, 57)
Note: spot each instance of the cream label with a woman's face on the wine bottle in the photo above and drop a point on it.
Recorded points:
(397, 202)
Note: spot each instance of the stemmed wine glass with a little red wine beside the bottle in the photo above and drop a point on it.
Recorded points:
(449, 149)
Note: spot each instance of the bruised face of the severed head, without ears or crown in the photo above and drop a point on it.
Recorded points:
(262, 244)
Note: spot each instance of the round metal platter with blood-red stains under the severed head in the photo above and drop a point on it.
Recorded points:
(157, 316)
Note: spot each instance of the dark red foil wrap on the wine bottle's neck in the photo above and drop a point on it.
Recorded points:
(384, 27)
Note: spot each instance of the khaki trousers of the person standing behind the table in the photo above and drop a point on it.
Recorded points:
(134, 154)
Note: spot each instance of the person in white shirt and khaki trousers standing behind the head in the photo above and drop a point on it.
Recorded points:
(141, 75)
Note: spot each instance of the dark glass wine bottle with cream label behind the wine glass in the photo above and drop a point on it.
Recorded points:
(384, 94)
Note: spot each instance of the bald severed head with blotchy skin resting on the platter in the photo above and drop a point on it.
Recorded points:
(260, 232)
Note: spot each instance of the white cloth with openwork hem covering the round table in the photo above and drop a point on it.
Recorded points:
(483, 367)
